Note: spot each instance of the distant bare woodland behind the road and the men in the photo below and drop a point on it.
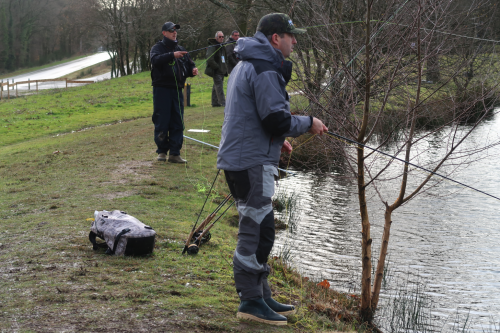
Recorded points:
(35, 32)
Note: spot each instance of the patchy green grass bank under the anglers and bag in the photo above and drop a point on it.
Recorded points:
(51, 181)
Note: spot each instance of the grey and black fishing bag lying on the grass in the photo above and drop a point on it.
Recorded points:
(123, 233)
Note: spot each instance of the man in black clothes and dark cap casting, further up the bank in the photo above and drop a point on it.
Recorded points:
(170, 66)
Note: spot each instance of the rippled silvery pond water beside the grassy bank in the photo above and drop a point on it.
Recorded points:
(448, 238)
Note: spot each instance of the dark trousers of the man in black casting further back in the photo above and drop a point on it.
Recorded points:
(168, 111)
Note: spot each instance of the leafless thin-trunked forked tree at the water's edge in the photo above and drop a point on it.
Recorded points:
(373, 88)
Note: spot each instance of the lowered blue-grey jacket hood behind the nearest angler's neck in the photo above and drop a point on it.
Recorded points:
(258, 47)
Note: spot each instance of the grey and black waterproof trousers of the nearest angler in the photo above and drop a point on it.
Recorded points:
(253, 189)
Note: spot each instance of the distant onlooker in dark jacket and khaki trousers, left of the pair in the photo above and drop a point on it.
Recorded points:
(216, 68)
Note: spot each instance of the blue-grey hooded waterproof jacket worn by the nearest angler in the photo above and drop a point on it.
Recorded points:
(257, 116)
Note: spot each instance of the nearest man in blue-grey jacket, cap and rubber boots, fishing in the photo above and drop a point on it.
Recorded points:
(257, 120)
